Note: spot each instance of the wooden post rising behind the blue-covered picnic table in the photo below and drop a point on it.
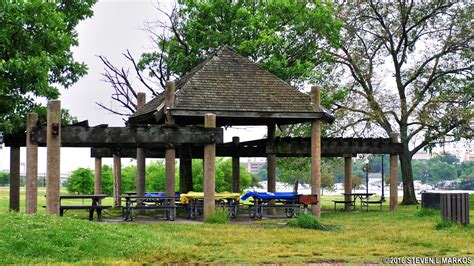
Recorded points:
(271, 165)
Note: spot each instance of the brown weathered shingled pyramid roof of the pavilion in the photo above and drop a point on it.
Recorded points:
(238, 91)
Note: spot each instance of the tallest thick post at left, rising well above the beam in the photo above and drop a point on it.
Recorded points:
(53, 142)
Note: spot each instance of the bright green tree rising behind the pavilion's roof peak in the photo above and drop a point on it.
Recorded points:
(283, 37)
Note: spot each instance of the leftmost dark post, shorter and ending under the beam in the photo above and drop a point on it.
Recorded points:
(15, 179)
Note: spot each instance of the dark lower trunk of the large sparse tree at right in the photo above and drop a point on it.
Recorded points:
(409, 197)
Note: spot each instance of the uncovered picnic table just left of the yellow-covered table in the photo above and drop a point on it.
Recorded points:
(157, 201)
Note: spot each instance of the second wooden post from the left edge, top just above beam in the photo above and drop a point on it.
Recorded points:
(31, 167)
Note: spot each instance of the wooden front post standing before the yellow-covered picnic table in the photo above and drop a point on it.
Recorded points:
(209, 186)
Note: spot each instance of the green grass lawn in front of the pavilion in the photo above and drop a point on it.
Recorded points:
(359, 237)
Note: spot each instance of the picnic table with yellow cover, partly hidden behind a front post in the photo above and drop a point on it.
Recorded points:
(194, 203)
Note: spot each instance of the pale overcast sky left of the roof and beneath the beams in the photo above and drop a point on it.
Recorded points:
(114, 28)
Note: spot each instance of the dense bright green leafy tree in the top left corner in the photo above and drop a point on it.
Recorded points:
(35, 50)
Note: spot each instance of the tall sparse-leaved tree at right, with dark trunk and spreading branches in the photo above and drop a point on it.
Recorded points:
(410, 68)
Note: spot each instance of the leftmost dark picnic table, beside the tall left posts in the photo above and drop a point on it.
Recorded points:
(94, 206)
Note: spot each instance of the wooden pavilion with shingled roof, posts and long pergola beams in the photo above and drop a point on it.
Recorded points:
(227, 89)
